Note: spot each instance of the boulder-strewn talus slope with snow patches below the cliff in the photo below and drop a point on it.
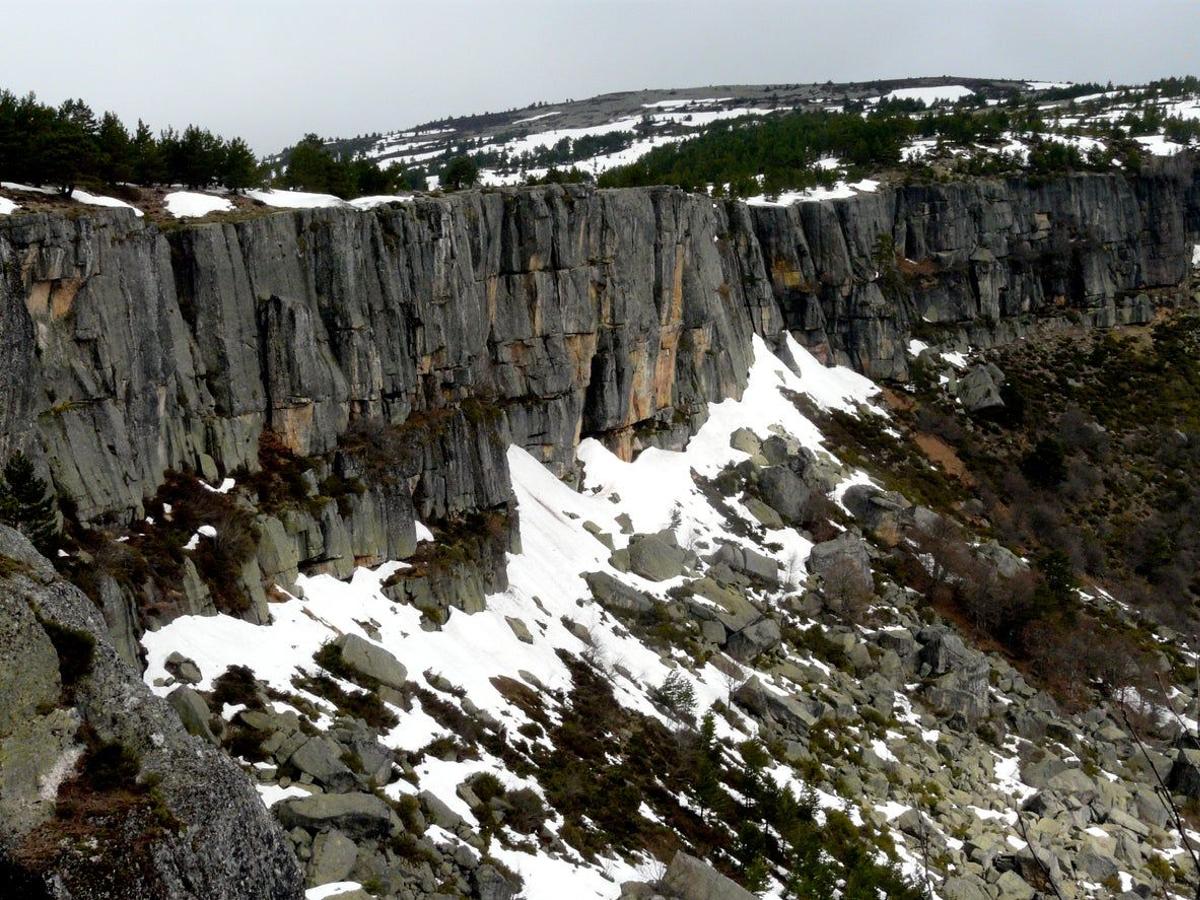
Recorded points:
(751, 571)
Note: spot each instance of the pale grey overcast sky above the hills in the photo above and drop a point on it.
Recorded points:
(273, 70)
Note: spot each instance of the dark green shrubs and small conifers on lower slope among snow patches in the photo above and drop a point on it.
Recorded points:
(607, 761)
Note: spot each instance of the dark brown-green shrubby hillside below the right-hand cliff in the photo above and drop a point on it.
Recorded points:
(1091, 471)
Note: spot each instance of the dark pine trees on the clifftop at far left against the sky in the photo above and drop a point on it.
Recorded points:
(67, 147)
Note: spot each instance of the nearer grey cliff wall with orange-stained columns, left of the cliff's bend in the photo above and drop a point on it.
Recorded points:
(573, 313)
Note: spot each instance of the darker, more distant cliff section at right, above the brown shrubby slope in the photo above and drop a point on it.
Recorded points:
(979, 262)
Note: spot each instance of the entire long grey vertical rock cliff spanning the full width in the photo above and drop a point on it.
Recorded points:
(395, 353)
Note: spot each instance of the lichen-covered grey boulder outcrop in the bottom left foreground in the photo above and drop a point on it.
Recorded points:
(103, 791)
